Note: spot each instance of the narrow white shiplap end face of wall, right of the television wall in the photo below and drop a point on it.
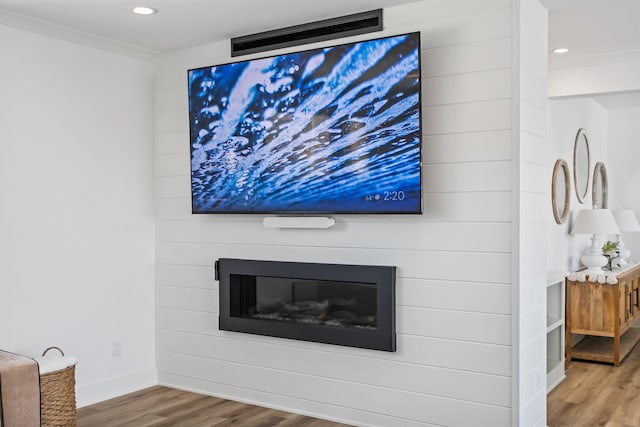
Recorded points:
(530, 142)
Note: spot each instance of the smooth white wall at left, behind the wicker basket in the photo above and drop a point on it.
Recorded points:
(76, 209)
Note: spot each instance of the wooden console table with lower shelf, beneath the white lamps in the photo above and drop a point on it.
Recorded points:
(604, 313)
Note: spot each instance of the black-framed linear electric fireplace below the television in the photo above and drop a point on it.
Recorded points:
(351, 305)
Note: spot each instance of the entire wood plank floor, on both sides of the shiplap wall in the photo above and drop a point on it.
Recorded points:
(593, 394)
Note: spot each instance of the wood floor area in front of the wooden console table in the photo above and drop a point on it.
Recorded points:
(595, 394)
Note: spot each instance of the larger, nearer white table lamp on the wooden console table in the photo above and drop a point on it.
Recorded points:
(599, 223)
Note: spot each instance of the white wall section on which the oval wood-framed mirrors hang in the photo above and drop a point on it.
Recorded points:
(566, 116)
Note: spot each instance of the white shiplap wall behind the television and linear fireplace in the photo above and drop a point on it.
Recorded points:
(454, 296)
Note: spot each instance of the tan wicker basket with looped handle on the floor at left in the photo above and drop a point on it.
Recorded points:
(58, 396)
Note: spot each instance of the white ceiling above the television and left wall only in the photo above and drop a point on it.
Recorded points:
(179, 24)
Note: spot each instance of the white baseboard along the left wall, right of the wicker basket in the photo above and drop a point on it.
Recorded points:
(88, 394)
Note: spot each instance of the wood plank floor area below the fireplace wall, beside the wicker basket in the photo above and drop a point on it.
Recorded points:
(162, 406)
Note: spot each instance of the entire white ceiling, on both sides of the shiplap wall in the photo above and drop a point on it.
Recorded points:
(595, 31)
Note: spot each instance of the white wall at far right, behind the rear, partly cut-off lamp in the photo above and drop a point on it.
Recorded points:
(622, 167)
